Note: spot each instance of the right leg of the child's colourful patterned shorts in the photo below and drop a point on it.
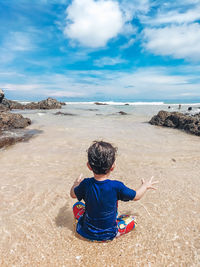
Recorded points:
(125, 223)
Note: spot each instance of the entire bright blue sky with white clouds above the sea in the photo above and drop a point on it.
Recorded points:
(100, 49)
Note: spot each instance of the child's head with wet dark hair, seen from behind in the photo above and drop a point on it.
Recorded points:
(101, 156)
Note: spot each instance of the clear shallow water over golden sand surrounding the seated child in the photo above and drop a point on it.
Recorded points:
(36, 220)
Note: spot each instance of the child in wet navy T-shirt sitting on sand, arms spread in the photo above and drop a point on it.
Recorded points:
(97, 218)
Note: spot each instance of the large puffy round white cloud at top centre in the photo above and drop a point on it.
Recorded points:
(93, 23)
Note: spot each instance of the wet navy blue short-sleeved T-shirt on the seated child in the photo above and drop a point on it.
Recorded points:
(99, 219)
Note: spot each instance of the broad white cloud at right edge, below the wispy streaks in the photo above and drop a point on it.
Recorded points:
(176, 41)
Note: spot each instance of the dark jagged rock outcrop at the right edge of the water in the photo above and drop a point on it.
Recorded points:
(188, 123)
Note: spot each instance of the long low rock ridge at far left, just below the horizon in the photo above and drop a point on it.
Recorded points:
(49, 103)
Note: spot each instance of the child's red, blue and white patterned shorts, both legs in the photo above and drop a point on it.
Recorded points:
(125, 223)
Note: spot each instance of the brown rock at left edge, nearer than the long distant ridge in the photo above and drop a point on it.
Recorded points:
(10, 121)
